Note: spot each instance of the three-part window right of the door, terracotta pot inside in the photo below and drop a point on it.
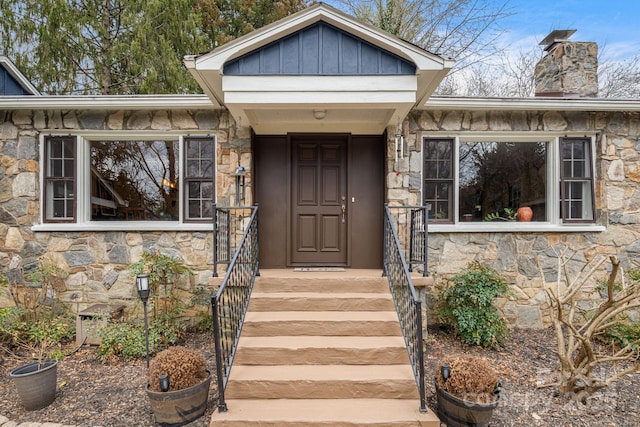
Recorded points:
(486, 180)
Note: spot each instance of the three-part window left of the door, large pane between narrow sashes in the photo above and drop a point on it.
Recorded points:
(115, 179)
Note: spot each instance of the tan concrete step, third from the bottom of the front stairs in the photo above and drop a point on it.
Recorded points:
(321, 350)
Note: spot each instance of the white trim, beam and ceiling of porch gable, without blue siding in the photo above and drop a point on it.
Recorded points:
(318, 102)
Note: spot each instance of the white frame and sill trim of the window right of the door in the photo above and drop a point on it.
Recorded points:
(554, 224)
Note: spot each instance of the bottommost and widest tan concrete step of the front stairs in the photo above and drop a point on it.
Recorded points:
(324, 412)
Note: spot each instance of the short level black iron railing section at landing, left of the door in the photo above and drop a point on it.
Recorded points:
(229, 224)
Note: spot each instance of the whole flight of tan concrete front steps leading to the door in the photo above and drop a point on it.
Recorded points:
(322, 349)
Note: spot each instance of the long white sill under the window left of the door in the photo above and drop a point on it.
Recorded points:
(131, 226)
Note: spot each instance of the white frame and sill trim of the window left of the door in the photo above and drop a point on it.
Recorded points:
(83, 180)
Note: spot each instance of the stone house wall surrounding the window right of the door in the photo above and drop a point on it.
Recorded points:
(516, 255)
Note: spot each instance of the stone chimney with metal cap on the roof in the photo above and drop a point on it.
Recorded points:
(569, 69)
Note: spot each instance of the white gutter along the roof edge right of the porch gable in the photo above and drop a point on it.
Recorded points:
(538, 103)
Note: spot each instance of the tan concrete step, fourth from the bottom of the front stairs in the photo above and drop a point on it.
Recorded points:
(318, 323)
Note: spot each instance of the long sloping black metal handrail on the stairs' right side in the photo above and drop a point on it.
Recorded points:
(405, 297)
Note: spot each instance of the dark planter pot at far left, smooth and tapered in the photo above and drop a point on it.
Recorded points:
(36, 383)
